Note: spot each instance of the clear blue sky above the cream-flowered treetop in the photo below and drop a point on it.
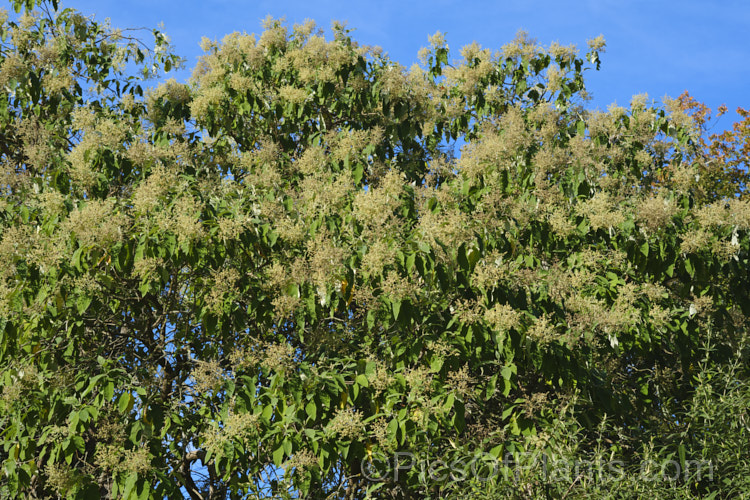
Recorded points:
(657, 47)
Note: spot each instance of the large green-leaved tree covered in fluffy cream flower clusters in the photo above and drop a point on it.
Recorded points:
(282, 278)
